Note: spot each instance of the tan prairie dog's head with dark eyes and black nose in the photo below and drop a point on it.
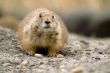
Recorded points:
(45, 20)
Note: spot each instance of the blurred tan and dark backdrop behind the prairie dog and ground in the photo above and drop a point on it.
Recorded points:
(90, 18)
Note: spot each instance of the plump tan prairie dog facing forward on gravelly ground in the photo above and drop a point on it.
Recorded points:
(42, 29)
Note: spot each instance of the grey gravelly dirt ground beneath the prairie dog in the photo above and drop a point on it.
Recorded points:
(89, 54)
